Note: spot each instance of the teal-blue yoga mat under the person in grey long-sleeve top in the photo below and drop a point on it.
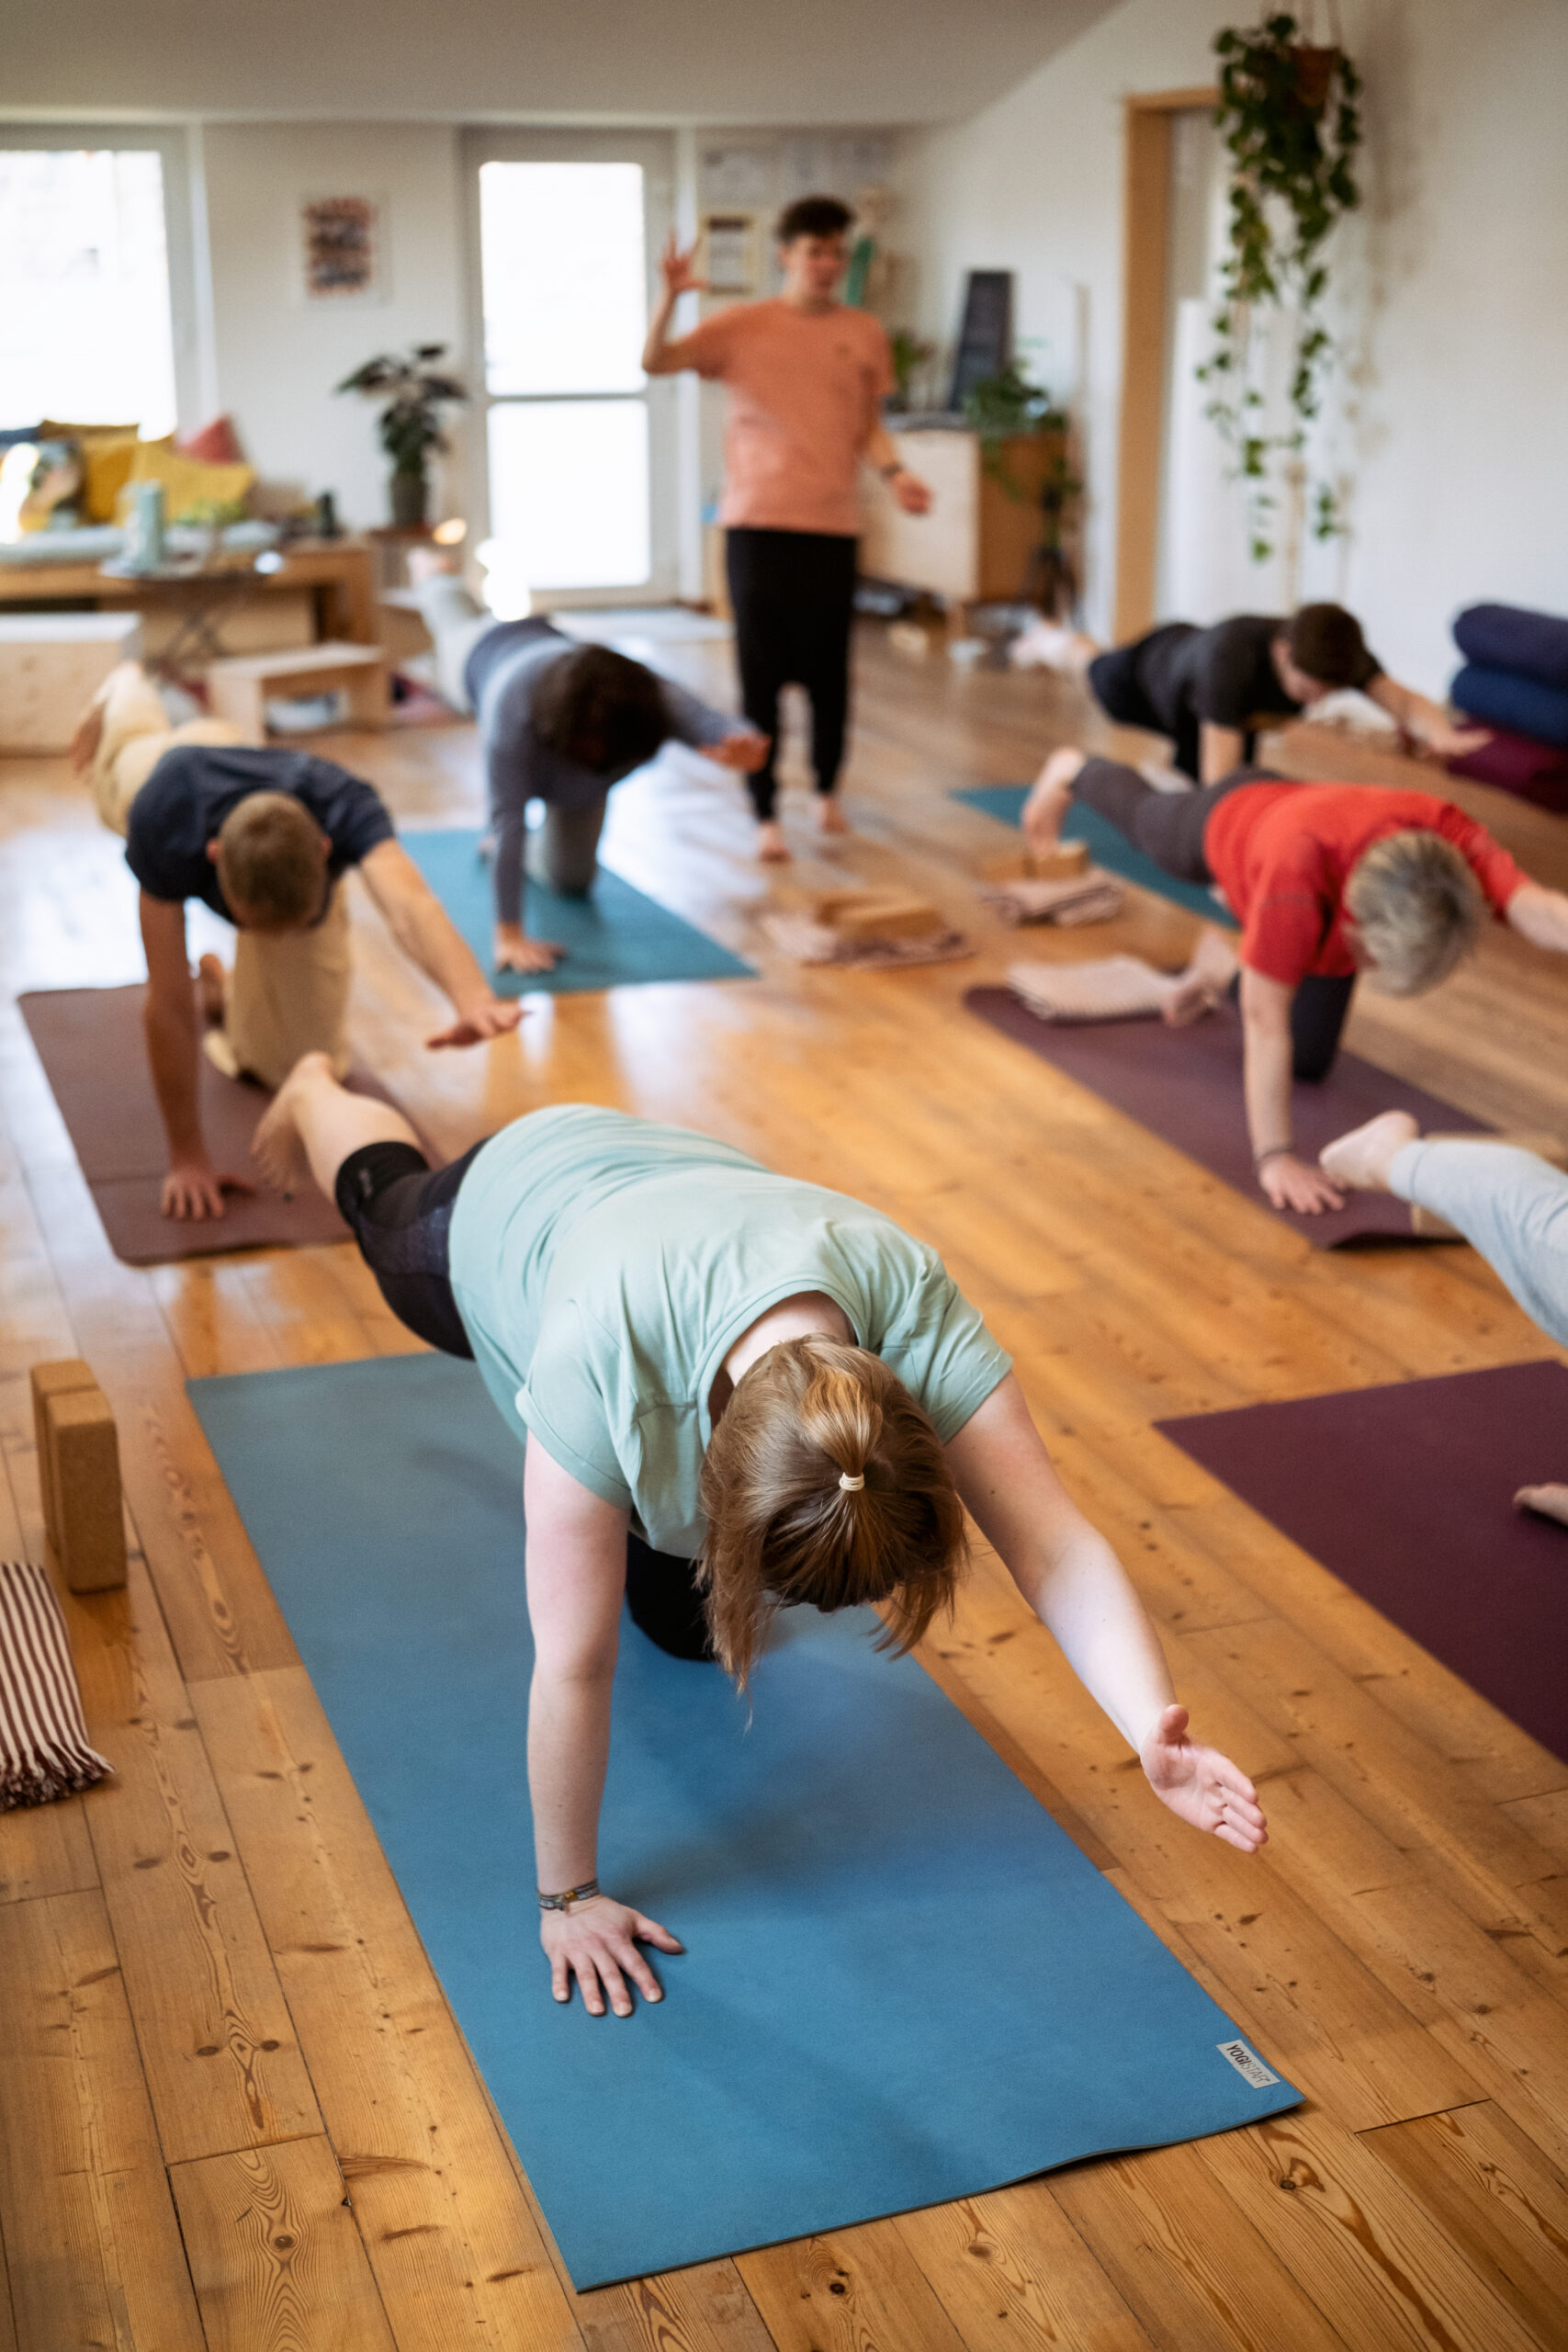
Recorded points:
(615, 937)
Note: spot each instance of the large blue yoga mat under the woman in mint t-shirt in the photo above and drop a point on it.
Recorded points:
(902, 1984)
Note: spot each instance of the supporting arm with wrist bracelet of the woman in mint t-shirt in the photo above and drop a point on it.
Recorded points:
(577, 1582)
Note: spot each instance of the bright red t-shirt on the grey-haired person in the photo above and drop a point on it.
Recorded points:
(1282, 855)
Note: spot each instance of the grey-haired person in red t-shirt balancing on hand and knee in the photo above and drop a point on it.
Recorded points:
(1327, 881)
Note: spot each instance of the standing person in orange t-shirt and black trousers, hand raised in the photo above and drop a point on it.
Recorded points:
(805, 380)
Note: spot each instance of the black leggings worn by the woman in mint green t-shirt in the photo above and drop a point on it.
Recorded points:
(398, 1210)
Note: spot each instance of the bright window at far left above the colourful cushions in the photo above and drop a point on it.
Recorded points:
(86, 328)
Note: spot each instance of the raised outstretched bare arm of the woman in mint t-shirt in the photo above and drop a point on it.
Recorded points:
(1080, 1591)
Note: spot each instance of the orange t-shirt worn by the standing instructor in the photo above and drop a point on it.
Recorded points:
(805, 392)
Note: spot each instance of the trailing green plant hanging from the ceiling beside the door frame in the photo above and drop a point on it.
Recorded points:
(1292, 131)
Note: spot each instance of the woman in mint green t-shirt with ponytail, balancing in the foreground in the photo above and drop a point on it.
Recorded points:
(737, 1394)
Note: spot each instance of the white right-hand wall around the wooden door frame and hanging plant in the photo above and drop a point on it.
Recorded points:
(1456, 281)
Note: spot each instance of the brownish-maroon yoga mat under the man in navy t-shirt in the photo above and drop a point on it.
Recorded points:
(95, 1060)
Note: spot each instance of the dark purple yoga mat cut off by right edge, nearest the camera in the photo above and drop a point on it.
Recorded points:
(1419, 1516)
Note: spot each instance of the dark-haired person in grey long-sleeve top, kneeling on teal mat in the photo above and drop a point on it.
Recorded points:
(561, 723)
